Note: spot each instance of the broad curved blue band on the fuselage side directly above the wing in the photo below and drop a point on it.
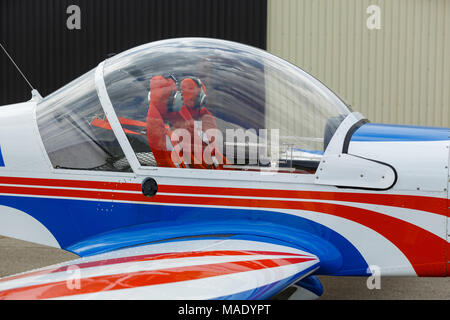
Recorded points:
(81, 227)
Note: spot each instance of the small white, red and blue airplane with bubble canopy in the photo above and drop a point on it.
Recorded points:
(197, 168)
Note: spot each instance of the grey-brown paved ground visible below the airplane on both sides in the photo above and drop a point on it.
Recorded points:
(18, 256)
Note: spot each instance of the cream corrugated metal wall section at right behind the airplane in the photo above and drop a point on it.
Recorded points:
(397, 74)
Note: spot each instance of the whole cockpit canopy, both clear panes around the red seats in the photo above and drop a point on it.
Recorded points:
(192, 103)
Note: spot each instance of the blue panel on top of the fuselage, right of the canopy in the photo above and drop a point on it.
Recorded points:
(389, 132)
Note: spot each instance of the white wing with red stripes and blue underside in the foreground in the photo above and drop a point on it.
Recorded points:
(189, 269)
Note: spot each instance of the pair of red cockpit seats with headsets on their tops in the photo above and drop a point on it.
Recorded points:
(172, 109)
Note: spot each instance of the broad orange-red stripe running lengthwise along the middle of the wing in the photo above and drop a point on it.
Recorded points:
(144, 278)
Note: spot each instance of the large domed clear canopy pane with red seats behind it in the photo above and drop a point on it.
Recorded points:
(261, 106)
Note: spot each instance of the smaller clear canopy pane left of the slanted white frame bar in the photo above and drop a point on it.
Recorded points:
(67, 123)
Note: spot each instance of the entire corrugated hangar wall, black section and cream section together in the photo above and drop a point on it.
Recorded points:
(399, 73)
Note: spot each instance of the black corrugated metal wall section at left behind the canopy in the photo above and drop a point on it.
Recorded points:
(51, 55)
